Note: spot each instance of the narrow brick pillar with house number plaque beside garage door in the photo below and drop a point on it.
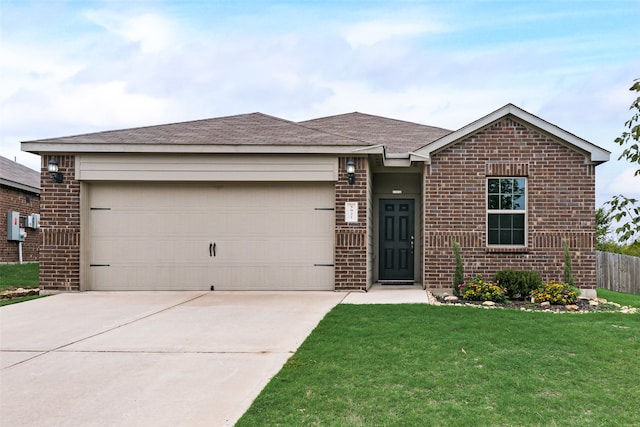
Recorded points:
(351, 238)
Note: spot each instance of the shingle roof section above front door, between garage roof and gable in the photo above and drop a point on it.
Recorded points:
(398, 136)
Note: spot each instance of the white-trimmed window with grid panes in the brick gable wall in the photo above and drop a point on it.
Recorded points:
(506, 211)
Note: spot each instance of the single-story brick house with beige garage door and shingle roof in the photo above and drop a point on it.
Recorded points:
(254, 202)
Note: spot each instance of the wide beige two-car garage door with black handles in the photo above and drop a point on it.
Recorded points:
(187, 236)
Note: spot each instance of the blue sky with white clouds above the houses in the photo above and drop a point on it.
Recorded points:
(80, 66)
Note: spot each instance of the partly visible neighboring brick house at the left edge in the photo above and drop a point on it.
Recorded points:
(19, 192)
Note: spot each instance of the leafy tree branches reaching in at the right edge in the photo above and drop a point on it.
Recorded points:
(624, 209)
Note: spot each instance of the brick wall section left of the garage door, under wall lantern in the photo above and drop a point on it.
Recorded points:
(60, 226)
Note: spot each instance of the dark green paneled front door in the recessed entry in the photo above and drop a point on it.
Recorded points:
(396, 239)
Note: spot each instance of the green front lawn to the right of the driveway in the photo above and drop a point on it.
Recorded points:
(420, 365)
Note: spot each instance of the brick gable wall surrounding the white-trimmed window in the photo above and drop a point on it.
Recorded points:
(560, 205)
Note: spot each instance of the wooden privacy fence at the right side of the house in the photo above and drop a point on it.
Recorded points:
(620, 273)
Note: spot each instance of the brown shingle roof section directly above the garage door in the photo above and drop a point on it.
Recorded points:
(244, 129)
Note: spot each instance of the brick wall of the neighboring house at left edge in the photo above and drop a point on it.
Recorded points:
(27, 203)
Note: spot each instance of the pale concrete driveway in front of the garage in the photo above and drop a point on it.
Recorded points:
(148, 358)
